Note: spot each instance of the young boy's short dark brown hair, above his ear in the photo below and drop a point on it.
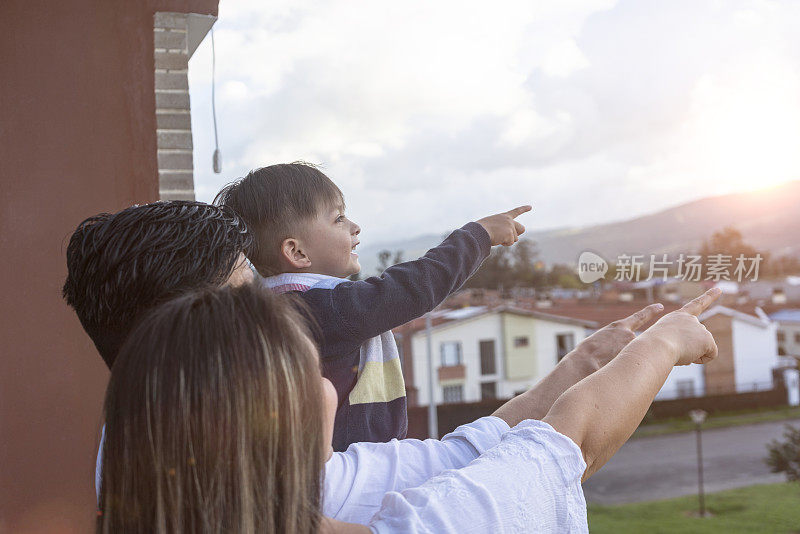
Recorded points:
(274, 201)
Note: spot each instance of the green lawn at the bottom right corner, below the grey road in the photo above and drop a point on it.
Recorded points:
(759, 509)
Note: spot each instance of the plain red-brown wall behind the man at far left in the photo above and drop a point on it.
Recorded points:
(77, 137)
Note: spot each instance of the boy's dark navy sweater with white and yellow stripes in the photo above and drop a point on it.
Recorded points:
(357, 348)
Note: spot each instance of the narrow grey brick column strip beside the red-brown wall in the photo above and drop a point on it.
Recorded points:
(173, 117)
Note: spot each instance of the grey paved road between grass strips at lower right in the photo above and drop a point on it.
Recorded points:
(661, 467)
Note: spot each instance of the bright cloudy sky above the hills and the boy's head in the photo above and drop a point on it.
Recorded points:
(431, 114)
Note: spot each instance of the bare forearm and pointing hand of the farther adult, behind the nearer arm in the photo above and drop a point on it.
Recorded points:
(590, 355)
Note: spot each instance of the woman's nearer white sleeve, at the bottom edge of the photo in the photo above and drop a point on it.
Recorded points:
(530, 482)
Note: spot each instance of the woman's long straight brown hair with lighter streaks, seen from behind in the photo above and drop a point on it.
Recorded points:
(214, 420)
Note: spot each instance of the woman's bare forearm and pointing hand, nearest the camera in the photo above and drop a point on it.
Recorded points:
(600, 412)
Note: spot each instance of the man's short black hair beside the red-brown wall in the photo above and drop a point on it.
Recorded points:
(123, 264)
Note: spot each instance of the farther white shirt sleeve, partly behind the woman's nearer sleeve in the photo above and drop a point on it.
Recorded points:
(357, 479)
